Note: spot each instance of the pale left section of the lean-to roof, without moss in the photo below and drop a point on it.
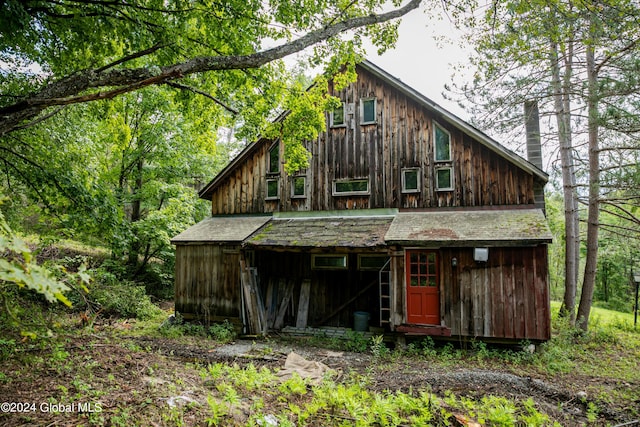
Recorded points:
(221, 229)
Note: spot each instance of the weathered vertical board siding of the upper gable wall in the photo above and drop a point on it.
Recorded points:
(401, 138)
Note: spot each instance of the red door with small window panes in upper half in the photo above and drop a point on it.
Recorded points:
(423, 300)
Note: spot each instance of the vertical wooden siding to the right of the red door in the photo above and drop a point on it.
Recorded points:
(505, 298)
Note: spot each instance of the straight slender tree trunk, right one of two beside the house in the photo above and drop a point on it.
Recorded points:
(589, 281)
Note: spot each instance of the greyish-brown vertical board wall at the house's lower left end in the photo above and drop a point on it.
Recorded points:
(207, 280)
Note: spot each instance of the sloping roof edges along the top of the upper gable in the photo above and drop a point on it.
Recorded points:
(419, 98)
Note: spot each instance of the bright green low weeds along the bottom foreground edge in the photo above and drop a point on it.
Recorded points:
(299, 402)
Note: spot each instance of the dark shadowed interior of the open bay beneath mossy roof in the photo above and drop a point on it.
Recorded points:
(329, 288)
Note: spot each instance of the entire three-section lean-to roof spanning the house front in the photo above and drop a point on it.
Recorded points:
(374, 228)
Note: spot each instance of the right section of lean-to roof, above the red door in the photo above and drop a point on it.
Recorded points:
(504, 227)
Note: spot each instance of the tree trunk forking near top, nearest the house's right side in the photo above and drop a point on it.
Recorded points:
(562, 104)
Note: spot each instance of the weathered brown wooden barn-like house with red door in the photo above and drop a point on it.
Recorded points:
(406, 215)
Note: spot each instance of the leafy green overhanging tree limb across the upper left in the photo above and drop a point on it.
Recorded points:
(193, 48)
